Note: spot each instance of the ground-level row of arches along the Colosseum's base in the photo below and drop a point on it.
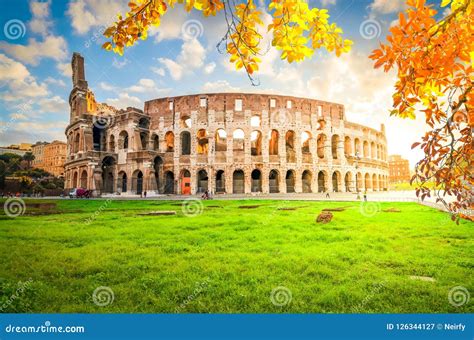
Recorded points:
(289, 181)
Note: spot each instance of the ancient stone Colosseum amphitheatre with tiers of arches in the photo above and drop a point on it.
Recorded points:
(226, 143)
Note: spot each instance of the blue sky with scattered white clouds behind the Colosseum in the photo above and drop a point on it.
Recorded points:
(38, 38)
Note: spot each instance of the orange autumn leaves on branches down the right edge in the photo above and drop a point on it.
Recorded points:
(434, 65)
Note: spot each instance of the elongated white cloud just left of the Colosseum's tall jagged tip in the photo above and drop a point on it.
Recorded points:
(51, 47)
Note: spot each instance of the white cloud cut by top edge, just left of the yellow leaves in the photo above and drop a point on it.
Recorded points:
(87, 14)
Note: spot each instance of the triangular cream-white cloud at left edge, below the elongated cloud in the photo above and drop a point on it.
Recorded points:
(18, 81)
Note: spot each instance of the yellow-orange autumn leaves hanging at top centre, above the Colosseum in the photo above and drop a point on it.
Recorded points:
(297, 29)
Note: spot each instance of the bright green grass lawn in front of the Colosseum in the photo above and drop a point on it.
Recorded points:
(229, 260)
